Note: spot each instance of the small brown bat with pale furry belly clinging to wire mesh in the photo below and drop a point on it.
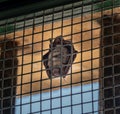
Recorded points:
(59, 58)
